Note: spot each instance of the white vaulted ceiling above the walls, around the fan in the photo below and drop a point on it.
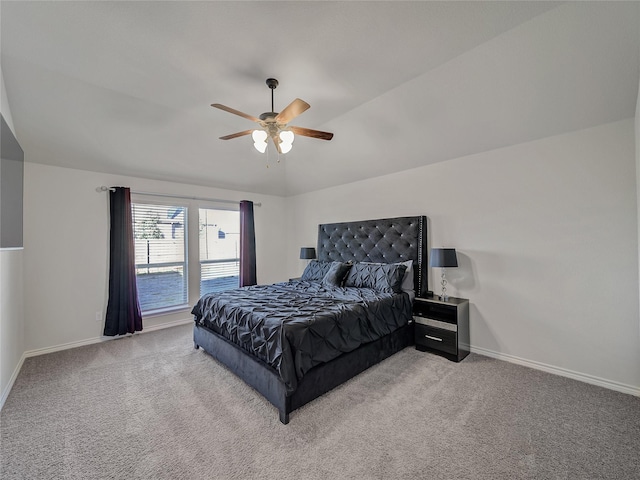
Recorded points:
(126, 87)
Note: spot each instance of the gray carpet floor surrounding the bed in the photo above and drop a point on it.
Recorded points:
(149, 406)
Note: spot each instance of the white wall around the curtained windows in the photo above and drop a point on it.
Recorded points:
(66, 249)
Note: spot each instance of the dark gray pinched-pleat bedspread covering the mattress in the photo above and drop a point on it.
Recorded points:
(294, 326)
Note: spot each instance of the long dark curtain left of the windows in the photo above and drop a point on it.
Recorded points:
(123, 309)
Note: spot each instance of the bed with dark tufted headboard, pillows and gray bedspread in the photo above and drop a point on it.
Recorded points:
(294, 341)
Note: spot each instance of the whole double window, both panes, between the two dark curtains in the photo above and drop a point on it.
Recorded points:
(183, 253)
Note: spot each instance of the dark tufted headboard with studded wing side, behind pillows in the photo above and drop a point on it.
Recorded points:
(388, 240)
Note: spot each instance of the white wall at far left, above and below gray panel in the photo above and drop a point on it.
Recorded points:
(11, 296)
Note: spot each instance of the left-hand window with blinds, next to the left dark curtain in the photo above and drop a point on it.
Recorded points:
(161, 253)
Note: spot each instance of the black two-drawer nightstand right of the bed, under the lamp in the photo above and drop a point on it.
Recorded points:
(442, 326)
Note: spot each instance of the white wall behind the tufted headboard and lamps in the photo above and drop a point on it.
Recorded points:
(546, 234)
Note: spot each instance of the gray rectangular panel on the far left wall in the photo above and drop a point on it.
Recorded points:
(11, 188)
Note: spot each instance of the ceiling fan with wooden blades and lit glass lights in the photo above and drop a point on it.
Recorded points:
(275, 125)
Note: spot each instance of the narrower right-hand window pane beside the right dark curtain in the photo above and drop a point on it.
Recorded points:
(219, 246)
